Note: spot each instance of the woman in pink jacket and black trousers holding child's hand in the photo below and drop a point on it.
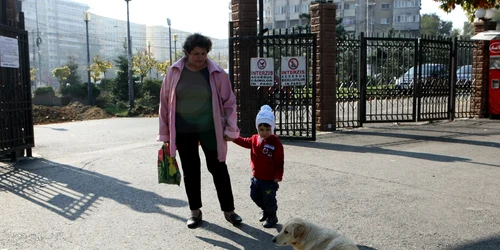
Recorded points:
(198, 107)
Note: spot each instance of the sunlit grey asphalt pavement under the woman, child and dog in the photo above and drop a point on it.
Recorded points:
(93, 185)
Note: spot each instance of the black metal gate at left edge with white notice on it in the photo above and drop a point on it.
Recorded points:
(16, 120)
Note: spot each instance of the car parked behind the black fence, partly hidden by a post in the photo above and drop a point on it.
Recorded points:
(429, 70)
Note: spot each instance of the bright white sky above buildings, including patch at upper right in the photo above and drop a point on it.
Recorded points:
(209, 17)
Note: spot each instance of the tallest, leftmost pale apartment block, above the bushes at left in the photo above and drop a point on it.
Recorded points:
(56, 31)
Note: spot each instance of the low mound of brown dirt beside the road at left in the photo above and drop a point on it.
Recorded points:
(75, 111)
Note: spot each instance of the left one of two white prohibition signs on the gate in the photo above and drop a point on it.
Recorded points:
(261, 71)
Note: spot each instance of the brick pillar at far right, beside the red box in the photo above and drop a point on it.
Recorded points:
(480, 71)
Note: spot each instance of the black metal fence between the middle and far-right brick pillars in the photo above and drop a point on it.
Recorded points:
(389, 78)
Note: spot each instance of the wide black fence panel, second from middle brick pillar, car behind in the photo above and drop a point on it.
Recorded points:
(390, 95)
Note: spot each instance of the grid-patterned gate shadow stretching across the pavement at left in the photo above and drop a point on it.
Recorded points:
(72, 192)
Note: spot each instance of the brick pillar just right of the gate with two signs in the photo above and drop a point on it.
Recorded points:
(323, 24)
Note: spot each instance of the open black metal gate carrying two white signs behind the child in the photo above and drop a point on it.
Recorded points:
(294, 106)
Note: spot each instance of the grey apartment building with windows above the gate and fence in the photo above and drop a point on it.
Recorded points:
(371, 16)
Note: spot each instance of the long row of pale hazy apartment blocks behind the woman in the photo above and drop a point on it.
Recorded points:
(59, 30)
